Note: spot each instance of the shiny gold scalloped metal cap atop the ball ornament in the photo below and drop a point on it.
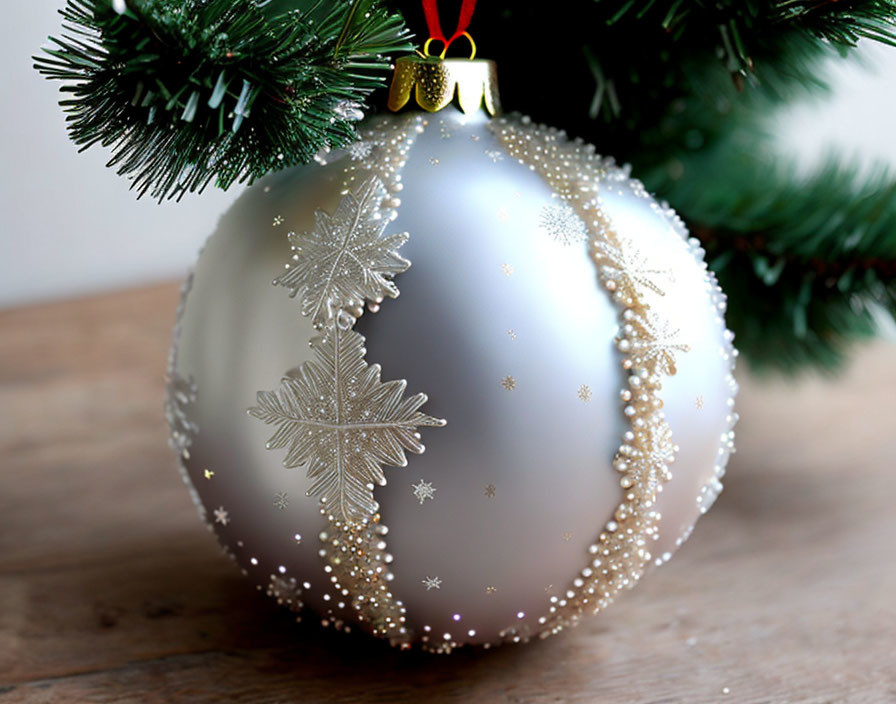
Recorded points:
(435, 81)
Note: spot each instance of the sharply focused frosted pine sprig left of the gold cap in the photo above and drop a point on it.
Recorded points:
(187, 92)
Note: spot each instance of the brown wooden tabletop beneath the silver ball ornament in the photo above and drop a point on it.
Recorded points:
(111, 590)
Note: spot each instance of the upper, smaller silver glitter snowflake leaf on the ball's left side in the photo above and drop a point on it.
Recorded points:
(346, 258)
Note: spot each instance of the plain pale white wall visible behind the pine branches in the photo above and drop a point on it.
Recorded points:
(69, 226)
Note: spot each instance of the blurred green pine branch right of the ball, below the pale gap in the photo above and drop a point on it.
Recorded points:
(803, 260)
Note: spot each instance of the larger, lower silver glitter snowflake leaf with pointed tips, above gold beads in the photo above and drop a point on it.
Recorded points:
(335, 416)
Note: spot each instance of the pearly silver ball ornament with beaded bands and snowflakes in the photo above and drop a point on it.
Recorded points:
(558, 345)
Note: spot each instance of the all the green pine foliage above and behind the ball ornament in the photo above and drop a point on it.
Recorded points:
(187, 92)
